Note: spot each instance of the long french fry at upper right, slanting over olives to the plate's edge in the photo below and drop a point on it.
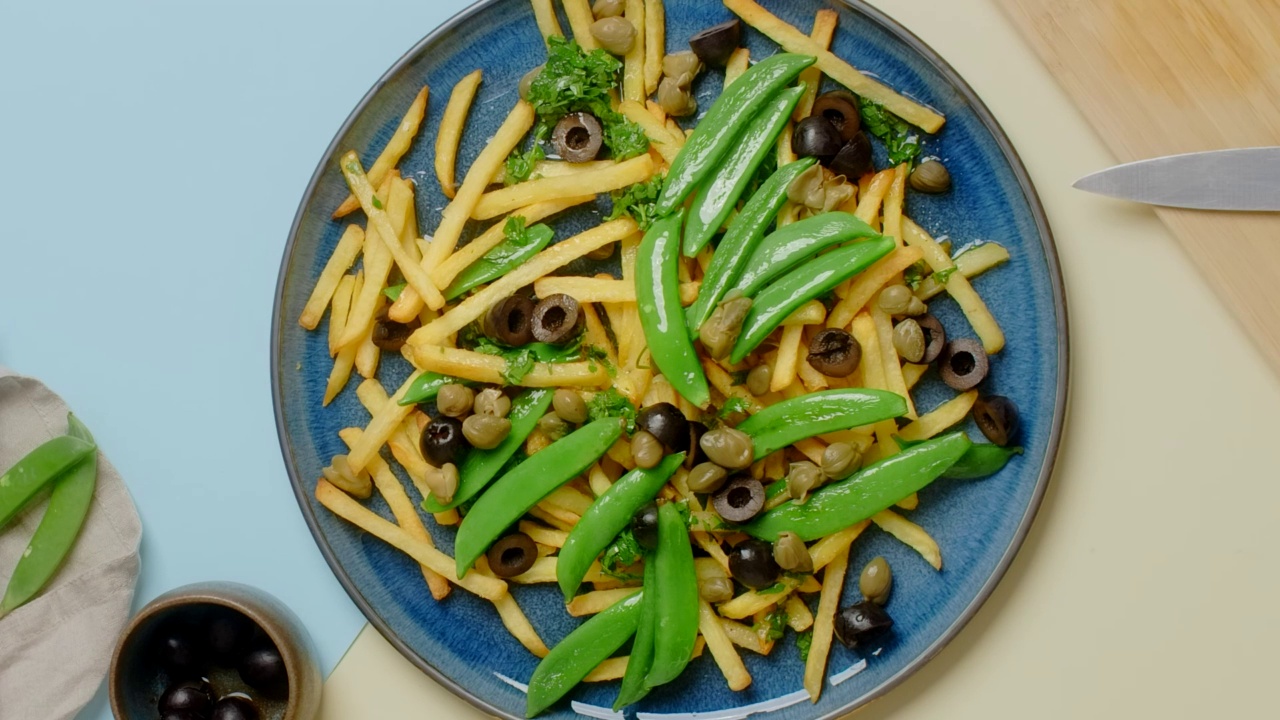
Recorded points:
(796, 42)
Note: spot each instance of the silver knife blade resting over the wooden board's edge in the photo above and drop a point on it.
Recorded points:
(1246, 180)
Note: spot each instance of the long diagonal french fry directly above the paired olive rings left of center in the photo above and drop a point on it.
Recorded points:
(546, 262)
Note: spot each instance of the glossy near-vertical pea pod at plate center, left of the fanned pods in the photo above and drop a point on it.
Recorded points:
(664, 317)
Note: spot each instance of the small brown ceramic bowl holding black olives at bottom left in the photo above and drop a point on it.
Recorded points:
(138, 680)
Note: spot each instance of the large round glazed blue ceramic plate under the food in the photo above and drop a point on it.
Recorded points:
(979, 525)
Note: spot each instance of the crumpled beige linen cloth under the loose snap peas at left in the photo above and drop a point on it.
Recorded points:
(56, 650)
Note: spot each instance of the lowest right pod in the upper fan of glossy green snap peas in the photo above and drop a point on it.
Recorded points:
(810, 281)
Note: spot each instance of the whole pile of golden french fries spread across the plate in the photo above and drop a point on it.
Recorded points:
(394, 252)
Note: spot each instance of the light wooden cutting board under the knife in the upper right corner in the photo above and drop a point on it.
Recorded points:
(1158, 78)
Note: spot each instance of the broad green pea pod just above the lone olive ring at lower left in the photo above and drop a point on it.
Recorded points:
(514, 494)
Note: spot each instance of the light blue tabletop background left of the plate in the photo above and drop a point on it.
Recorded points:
(153, 160)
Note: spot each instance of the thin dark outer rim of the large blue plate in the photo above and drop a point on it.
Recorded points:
(1060, 402)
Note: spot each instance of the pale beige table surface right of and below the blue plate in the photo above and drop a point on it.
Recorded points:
(1149, 586)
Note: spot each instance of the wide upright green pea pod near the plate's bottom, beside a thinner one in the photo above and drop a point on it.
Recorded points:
(676, 621)
